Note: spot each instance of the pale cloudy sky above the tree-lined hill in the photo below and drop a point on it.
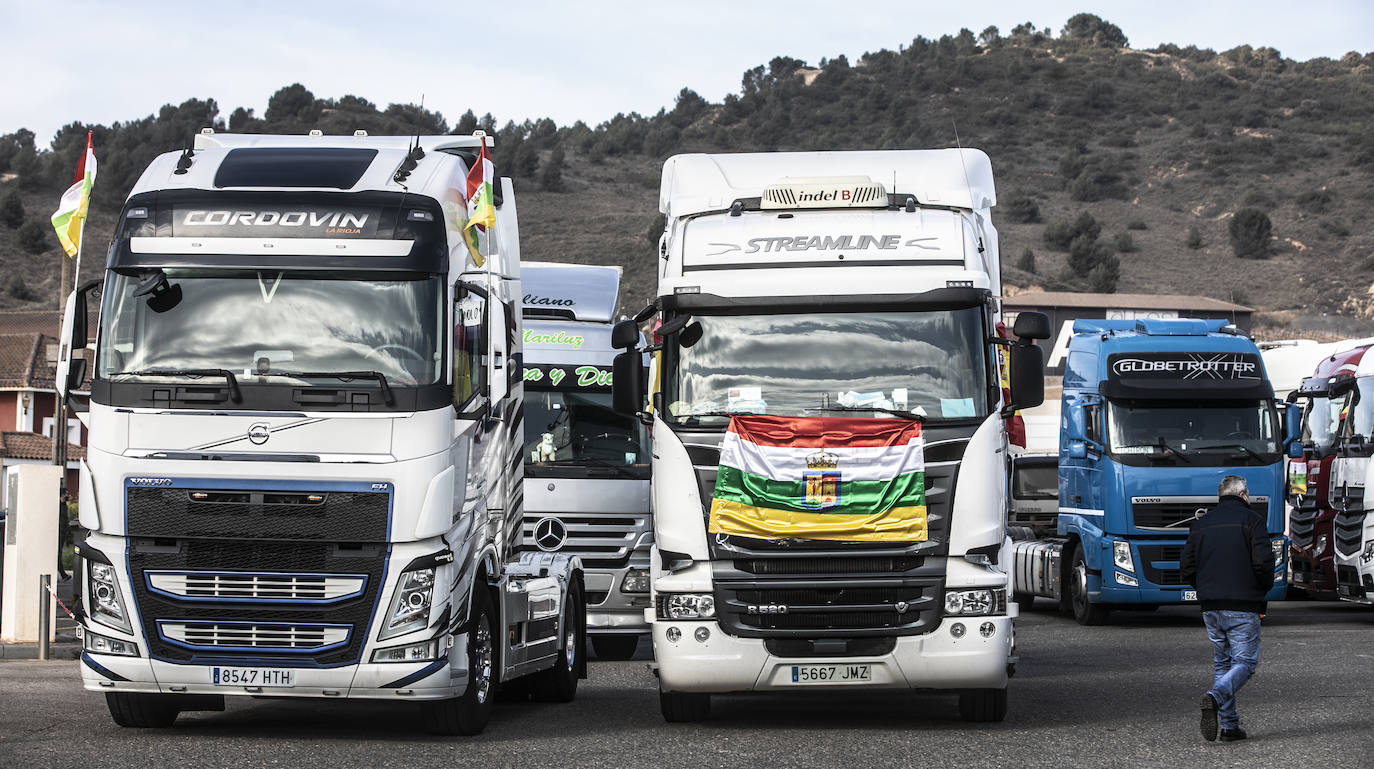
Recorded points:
(102, 62)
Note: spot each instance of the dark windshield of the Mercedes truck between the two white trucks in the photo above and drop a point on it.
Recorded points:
(575, 432)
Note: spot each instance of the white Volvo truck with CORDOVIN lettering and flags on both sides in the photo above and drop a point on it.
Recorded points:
(304, 472)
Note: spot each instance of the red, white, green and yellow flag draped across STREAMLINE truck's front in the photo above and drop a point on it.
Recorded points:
(821, 479)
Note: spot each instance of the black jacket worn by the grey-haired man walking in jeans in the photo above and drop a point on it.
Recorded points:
(1229, 558)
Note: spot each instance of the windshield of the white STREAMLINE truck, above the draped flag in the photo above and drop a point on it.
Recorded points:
(932, 365)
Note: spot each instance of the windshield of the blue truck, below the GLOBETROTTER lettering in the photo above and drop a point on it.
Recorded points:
(1203, 433)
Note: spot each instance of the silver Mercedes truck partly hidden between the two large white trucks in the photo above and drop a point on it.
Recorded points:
(586, 466)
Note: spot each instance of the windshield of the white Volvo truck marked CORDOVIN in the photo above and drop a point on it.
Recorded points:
(260, 322)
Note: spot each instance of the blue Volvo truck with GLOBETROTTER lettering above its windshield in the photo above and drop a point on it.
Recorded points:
(1155, 414)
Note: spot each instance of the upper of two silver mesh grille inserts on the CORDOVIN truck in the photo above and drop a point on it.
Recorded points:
(245, 587)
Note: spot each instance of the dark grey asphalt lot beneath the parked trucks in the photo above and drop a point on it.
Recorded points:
(1120, 696)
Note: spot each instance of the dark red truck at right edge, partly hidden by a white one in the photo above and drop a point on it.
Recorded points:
(1311, 517)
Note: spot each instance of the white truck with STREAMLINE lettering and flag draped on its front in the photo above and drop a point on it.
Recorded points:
(831, 285)
